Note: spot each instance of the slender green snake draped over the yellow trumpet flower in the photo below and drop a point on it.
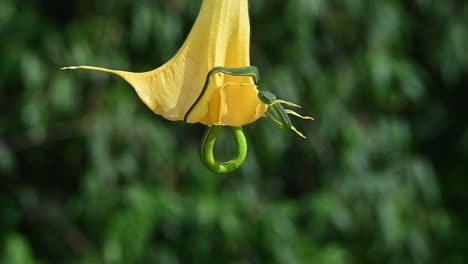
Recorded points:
(275, 112)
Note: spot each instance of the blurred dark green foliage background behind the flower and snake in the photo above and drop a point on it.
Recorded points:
(89, 175)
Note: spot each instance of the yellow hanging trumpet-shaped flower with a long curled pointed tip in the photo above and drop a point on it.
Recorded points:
(219, 37)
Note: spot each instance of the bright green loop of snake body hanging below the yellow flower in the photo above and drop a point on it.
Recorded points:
(207, 148)
